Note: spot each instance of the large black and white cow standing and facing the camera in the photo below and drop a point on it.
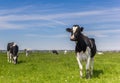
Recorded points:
(85, 49)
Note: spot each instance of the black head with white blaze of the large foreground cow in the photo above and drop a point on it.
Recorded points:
(75, 32)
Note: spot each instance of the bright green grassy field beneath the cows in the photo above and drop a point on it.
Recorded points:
(50, 68)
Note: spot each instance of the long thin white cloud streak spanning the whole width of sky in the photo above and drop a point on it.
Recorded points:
(73, 14)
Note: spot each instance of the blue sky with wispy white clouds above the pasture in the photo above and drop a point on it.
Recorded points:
(41, 24)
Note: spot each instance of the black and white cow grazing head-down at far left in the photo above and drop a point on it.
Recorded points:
(12, 52)
